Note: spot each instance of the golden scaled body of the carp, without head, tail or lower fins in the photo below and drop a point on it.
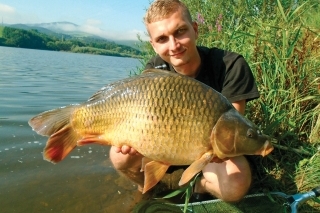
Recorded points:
(162, 116)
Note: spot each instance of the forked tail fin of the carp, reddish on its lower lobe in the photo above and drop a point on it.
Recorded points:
(56, 124)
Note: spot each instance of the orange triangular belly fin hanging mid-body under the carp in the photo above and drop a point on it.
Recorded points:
(153, 173)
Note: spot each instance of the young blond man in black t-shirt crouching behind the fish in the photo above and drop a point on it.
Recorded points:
(173, 37)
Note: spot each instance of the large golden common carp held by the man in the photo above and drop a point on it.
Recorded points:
(169, 118)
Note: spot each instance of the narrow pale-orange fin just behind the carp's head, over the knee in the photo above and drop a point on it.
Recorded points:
(195, 167)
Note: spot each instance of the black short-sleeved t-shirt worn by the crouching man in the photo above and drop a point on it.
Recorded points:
(226, 72)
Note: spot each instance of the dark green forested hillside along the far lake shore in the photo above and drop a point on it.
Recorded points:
(33, 39)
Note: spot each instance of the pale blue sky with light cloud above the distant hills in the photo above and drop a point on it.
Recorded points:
(117, 19)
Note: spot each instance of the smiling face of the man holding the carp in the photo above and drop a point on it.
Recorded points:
(174, 39)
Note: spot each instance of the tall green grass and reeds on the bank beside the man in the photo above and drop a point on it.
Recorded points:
(280, 39)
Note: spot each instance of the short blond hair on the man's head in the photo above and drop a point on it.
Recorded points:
(161, 9)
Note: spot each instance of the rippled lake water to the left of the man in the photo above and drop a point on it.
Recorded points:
(33, 81)
